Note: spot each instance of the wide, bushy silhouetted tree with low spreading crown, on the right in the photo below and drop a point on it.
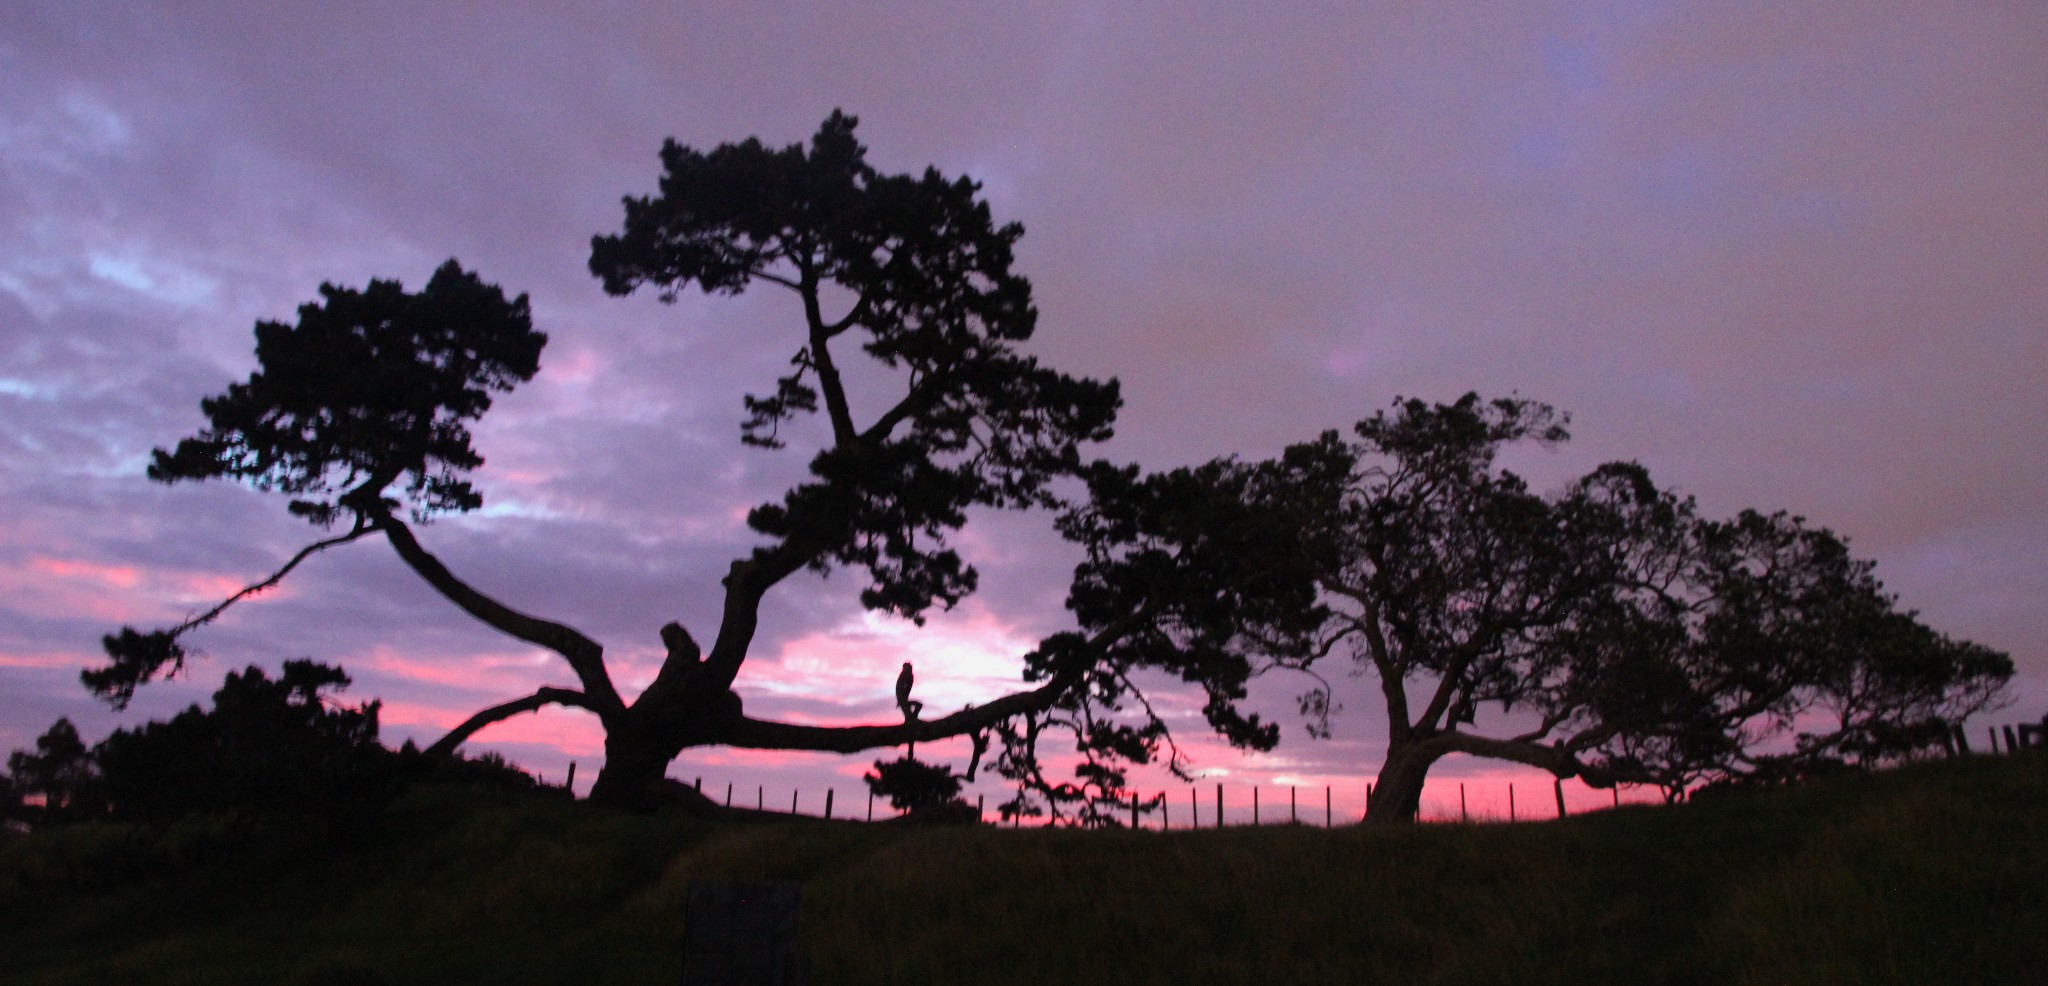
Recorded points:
(1637, 641)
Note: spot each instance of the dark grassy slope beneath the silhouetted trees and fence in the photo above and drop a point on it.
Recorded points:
(1928, 874)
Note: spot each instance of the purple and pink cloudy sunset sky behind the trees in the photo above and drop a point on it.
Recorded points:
(1787, 257)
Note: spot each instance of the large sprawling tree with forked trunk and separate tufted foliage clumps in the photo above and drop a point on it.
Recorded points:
(361, 415)
